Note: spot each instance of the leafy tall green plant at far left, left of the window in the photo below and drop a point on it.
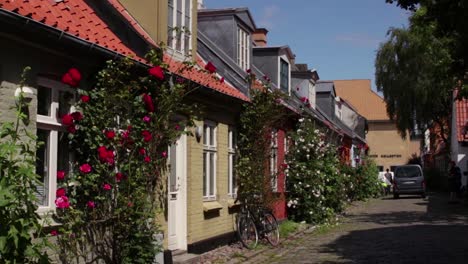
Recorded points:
(19, 222)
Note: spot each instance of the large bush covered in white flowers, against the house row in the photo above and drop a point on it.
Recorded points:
(316, 188)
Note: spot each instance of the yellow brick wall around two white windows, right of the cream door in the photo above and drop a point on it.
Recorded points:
(202, 225)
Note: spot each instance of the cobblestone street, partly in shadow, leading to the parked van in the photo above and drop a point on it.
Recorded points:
(407, 230)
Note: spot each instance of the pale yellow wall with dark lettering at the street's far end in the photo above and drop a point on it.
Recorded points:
(383, 139)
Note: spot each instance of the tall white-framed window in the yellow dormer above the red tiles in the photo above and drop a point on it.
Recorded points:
(179, 26)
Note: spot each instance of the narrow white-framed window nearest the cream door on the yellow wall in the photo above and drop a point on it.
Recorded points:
(209, 160)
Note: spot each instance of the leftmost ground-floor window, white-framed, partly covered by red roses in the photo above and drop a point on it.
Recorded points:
(53, 101)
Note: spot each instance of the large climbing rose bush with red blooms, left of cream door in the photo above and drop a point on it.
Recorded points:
(113, 207)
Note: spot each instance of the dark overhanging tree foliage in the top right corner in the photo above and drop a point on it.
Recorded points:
(450, 18)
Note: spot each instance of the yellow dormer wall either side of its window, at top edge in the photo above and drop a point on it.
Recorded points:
(152, 17)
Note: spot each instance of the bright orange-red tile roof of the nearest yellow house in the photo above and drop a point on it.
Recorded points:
(78, 19)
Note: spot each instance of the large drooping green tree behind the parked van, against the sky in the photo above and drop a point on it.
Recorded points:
(414, 71)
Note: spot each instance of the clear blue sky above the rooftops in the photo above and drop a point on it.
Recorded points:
(339, 38)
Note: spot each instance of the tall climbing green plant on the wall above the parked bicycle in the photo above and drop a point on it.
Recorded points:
(257, 120)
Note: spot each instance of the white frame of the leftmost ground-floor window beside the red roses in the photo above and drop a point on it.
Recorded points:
(52, 123)
